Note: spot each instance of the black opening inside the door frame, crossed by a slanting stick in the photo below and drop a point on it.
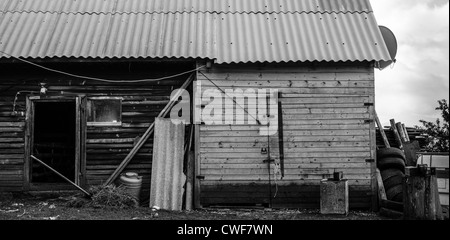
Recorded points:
(54, 141)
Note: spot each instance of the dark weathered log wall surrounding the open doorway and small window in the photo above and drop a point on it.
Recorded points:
(106, 147)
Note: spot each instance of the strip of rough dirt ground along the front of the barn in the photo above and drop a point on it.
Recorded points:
(54, 207)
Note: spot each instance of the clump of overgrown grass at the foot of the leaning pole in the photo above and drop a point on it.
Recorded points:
(105, 196)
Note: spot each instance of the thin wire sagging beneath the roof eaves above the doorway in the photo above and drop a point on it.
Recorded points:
(101, 79)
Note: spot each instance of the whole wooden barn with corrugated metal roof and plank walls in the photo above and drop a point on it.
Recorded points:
(82, 80)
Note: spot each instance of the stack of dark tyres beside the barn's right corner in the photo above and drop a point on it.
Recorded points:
(391, 162)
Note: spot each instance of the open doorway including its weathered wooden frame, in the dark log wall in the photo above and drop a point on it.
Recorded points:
(54, 135)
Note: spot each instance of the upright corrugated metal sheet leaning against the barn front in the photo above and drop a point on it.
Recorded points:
(167, 180)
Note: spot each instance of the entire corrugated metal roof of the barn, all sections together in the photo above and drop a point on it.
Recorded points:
(225, 30)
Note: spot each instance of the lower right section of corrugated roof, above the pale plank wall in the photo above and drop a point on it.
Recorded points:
(300, 37)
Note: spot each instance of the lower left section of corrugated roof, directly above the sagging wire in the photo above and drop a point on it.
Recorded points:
(107, 35)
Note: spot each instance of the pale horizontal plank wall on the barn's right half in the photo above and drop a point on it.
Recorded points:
(325, 130)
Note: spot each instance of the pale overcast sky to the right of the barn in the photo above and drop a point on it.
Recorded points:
(409, 91)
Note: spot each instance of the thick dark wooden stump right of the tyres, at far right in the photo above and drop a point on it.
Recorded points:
(420, 194)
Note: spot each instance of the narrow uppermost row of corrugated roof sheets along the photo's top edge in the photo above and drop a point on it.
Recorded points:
(172, 6)
